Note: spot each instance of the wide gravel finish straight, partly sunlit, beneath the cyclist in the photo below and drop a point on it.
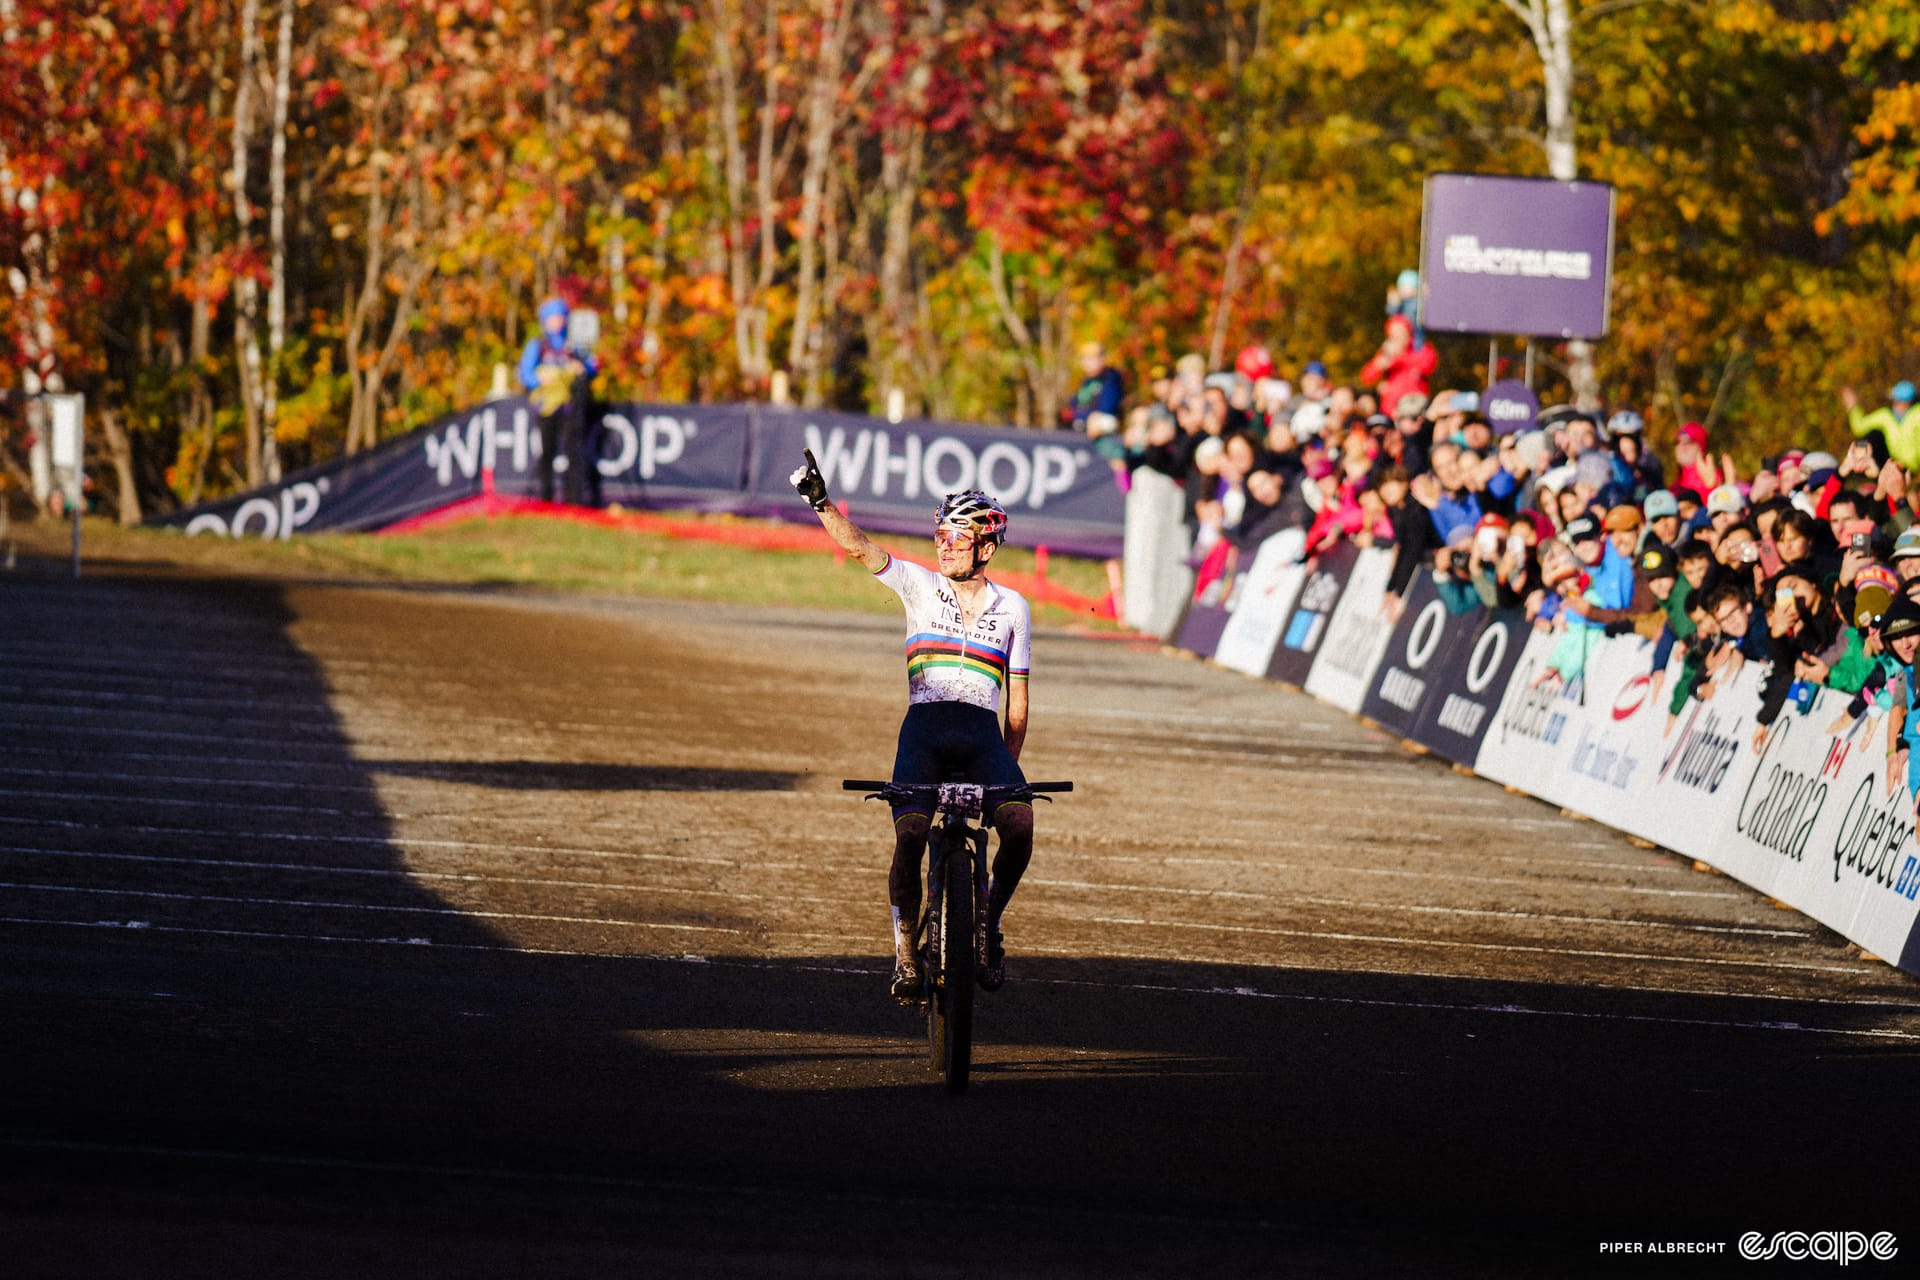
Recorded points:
(418, 932)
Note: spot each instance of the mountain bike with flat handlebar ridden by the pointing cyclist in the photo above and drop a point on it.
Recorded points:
(951, 932)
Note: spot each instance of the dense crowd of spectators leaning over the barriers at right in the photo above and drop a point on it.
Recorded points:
(1810, 565)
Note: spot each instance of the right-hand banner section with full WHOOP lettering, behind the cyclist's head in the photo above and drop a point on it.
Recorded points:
(892, 477)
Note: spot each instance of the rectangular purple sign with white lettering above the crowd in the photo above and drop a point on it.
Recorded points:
(1516, 256)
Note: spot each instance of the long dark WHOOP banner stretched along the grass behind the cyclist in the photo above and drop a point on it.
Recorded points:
(711, 458)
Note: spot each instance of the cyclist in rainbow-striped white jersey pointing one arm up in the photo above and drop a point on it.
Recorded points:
(967, 642)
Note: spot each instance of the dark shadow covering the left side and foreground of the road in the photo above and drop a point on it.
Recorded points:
(289, 1078)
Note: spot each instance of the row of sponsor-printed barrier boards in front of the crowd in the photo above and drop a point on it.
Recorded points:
(1810, 818)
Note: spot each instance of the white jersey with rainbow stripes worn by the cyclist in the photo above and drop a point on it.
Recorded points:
(948, 665)
